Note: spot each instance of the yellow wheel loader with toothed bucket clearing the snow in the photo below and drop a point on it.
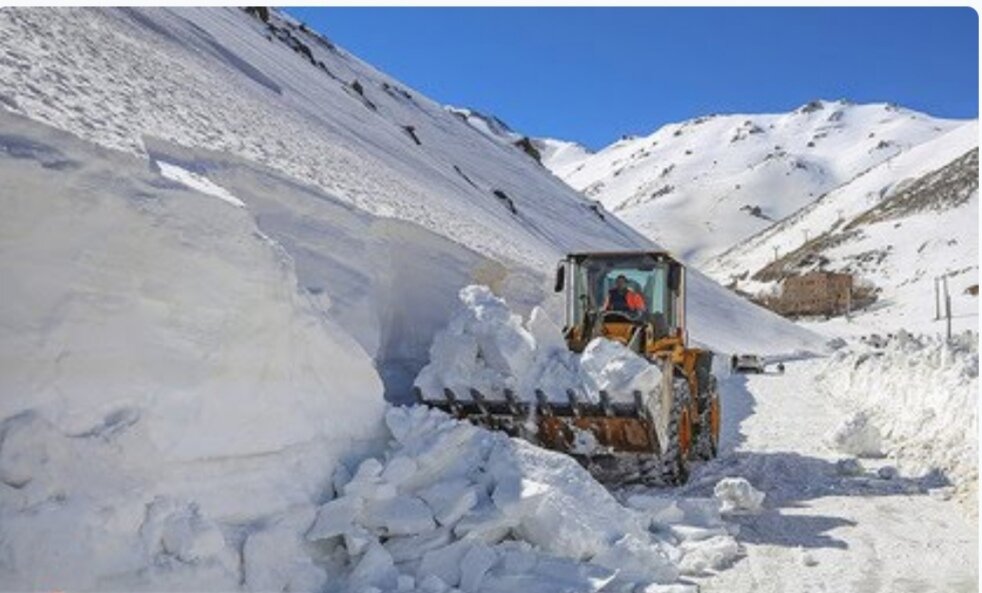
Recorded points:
(653, 437)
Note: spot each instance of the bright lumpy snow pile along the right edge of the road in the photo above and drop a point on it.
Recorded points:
(921, 394)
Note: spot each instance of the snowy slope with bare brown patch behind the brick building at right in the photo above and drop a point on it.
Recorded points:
(896, 228)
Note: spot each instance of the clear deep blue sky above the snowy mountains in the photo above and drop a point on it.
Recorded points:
(594, 74)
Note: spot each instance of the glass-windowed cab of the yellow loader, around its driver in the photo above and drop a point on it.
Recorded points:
(588, 278)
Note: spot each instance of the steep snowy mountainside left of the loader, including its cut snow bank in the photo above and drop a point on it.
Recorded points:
(224, 241)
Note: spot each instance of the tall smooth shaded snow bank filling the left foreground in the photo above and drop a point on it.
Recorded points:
(164, 384)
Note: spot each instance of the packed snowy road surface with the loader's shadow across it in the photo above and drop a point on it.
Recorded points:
(821, 530)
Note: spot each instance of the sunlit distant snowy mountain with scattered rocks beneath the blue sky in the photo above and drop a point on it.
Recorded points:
(700, 186)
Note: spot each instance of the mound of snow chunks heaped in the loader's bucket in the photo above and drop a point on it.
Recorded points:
(487, 347)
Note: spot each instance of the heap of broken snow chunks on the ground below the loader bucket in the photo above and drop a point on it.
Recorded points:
(454, 506)
